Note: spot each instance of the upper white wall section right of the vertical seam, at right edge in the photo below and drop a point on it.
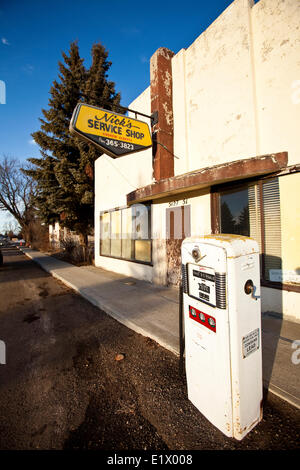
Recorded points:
(276, 40)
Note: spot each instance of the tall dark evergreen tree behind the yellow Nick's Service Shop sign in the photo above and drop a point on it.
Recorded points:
(64, 173)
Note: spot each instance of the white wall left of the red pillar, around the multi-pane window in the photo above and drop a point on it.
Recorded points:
(114, 179)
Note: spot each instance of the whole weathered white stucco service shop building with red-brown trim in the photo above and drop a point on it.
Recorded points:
(225, 155)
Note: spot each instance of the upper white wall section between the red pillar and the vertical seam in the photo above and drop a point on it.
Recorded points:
(214, 119)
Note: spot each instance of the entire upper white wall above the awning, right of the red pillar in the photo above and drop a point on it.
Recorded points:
(236, 89)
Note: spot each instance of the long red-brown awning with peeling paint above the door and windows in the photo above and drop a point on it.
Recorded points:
(209, 176)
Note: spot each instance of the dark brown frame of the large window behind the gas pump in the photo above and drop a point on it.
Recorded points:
(215, 193)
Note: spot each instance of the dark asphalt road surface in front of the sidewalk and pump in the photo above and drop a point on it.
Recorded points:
(62, 387)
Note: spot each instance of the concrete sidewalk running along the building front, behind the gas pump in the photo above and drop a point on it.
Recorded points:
(153, 311)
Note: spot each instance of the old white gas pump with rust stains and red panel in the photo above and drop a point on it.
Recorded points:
(222, 319)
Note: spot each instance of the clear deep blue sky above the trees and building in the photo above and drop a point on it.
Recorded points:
(33, 33)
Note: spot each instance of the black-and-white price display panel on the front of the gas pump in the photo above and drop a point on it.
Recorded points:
(201, 282)
